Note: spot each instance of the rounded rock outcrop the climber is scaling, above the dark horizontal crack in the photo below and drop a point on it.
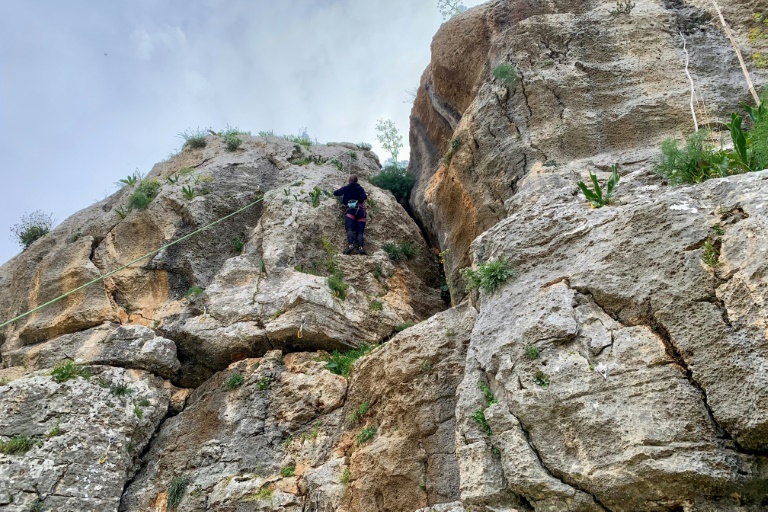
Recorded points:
(271, 293)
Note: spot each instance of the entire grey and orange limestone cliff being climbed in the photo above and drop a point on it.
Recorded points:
(623, 368)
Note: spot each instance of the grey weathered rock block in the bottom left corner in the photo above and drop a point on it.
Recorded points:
(87, 435)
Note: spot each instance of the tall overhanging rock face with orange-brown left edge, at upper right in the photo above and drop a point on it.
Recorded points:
(585, 83)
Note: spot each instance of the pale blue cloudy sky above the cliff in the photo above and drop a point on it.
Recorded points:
(90, 90)
